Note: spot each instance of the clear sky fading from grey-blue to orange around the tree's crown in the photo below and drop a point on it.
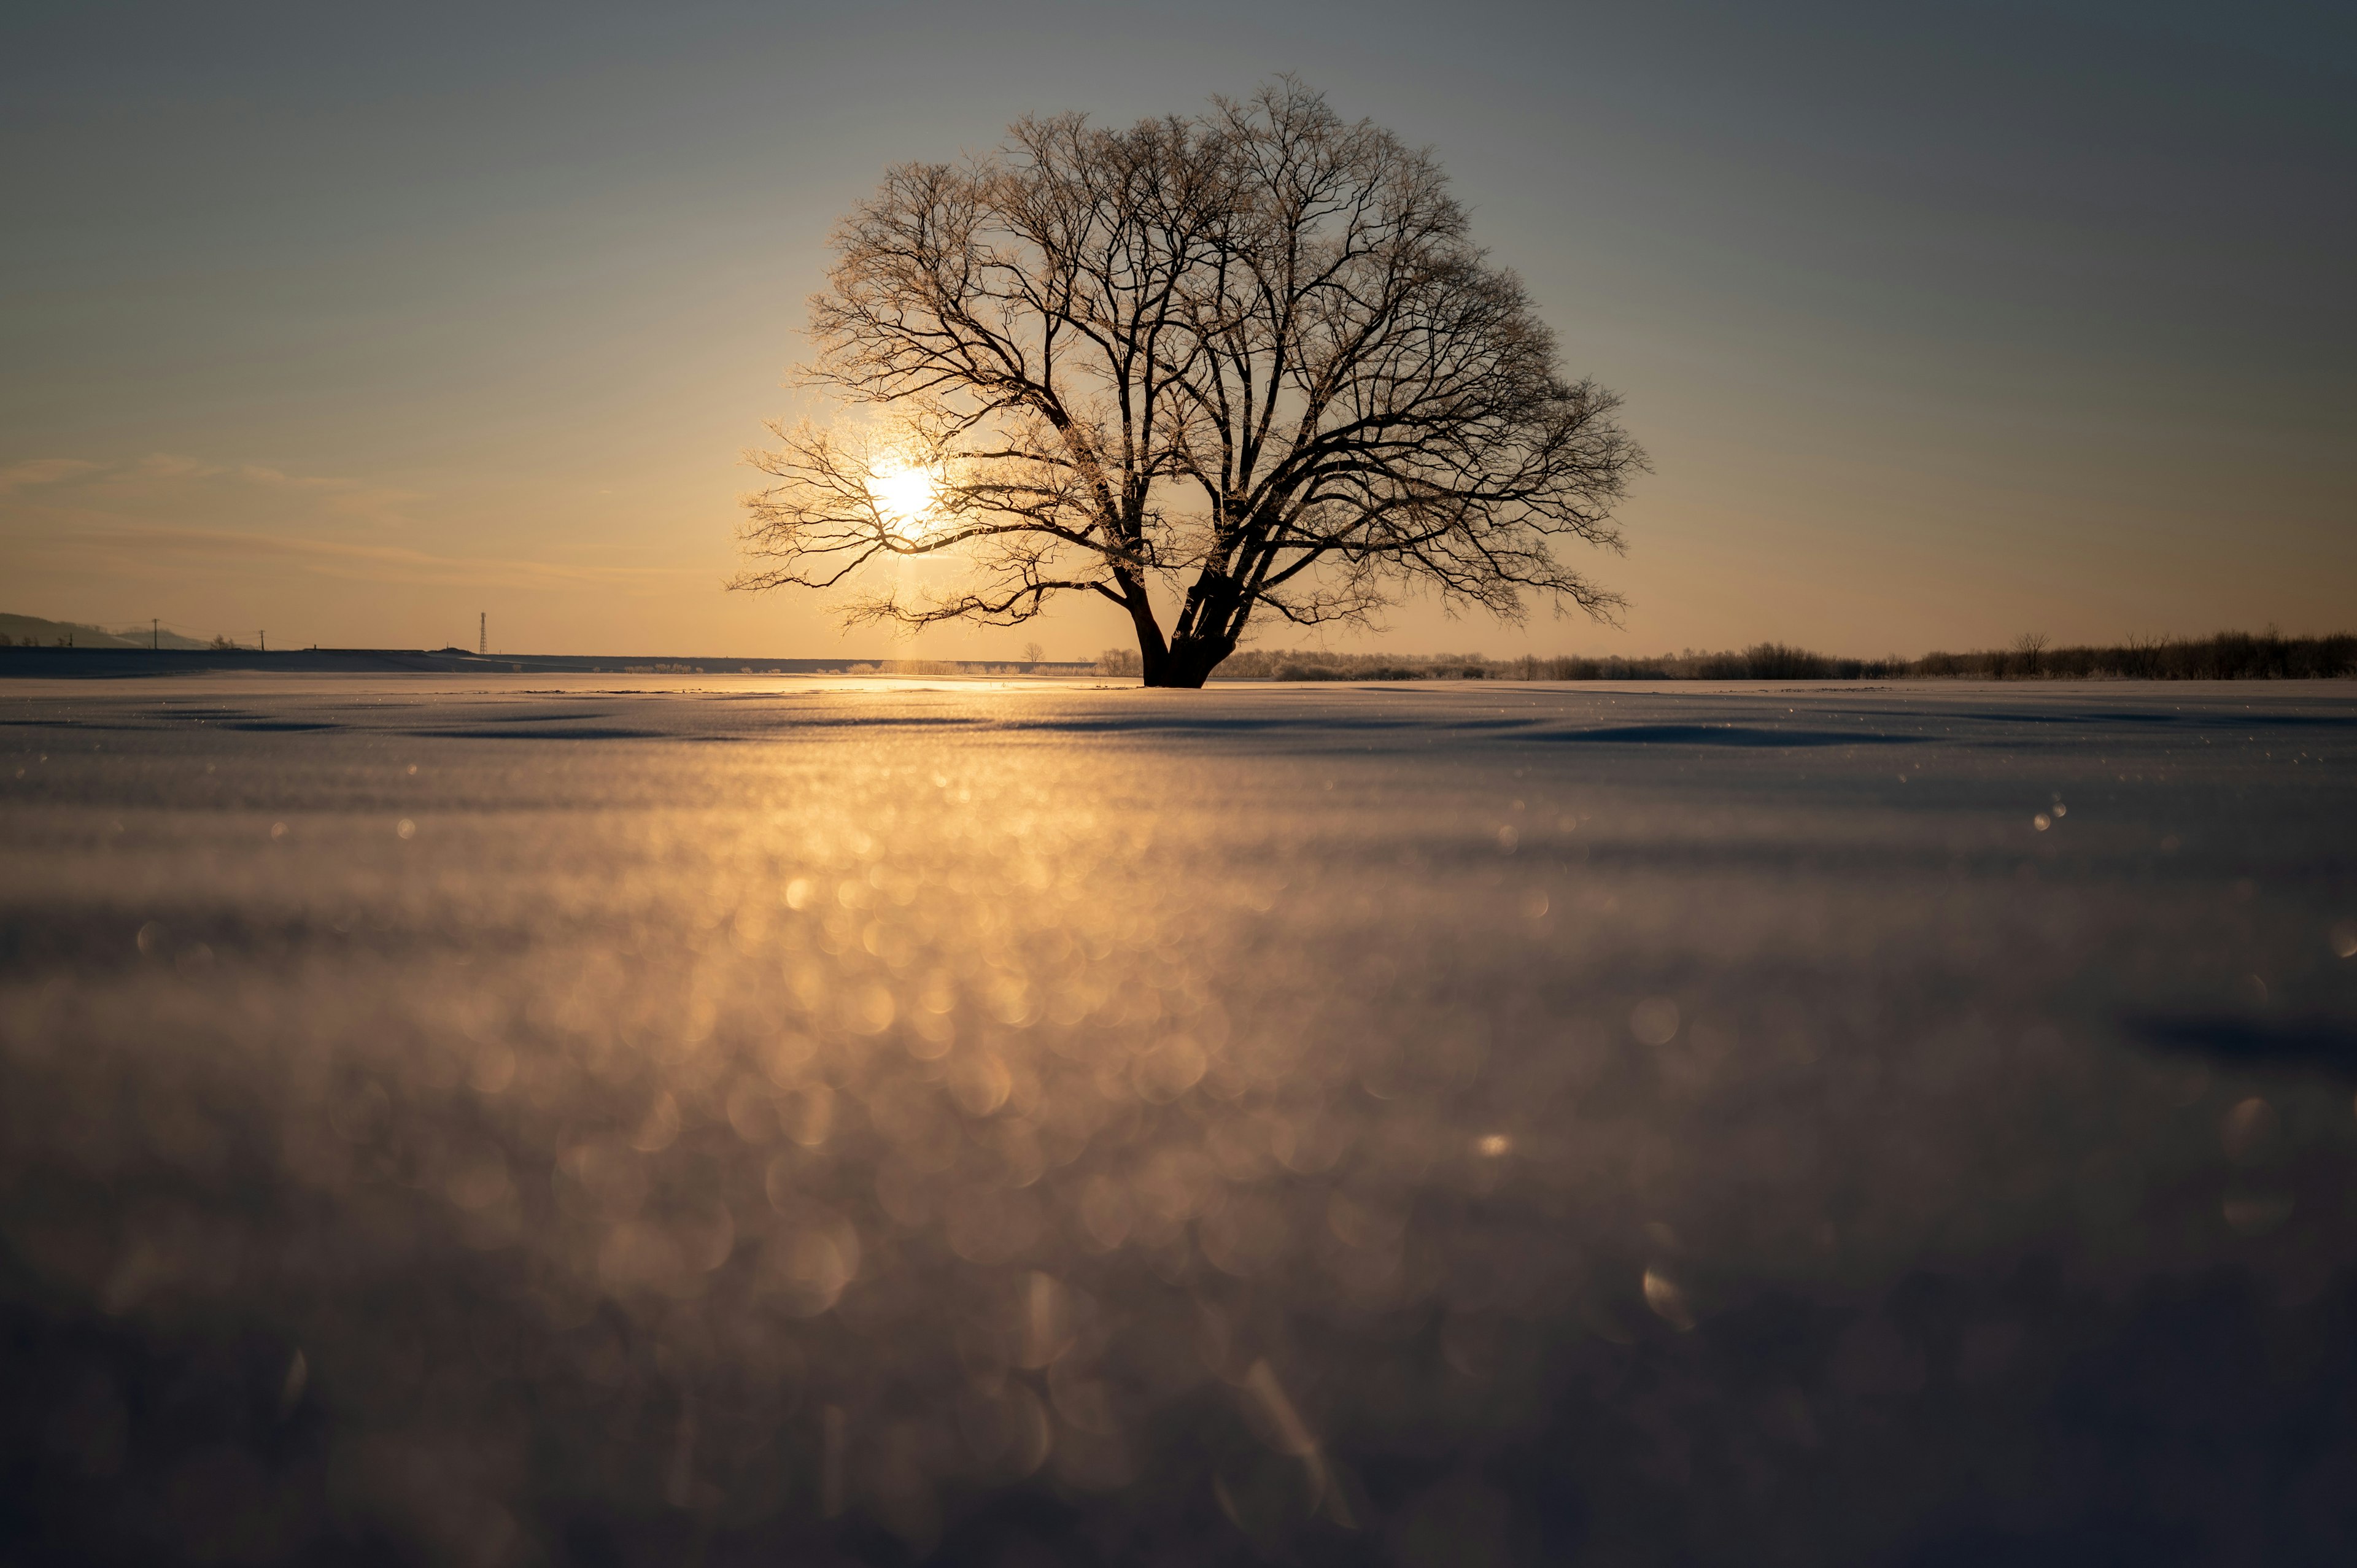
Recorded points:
(1941, 322)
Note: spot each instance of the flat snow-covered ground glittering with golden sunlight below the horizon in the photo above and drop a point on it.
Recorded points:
(795, 1124)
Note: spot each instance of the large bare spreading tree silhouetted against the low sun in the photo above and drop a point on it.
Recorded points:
(1248, 360)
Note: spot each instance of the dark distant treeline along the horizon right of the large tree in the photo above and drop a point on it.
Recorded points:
(2231, 657)
